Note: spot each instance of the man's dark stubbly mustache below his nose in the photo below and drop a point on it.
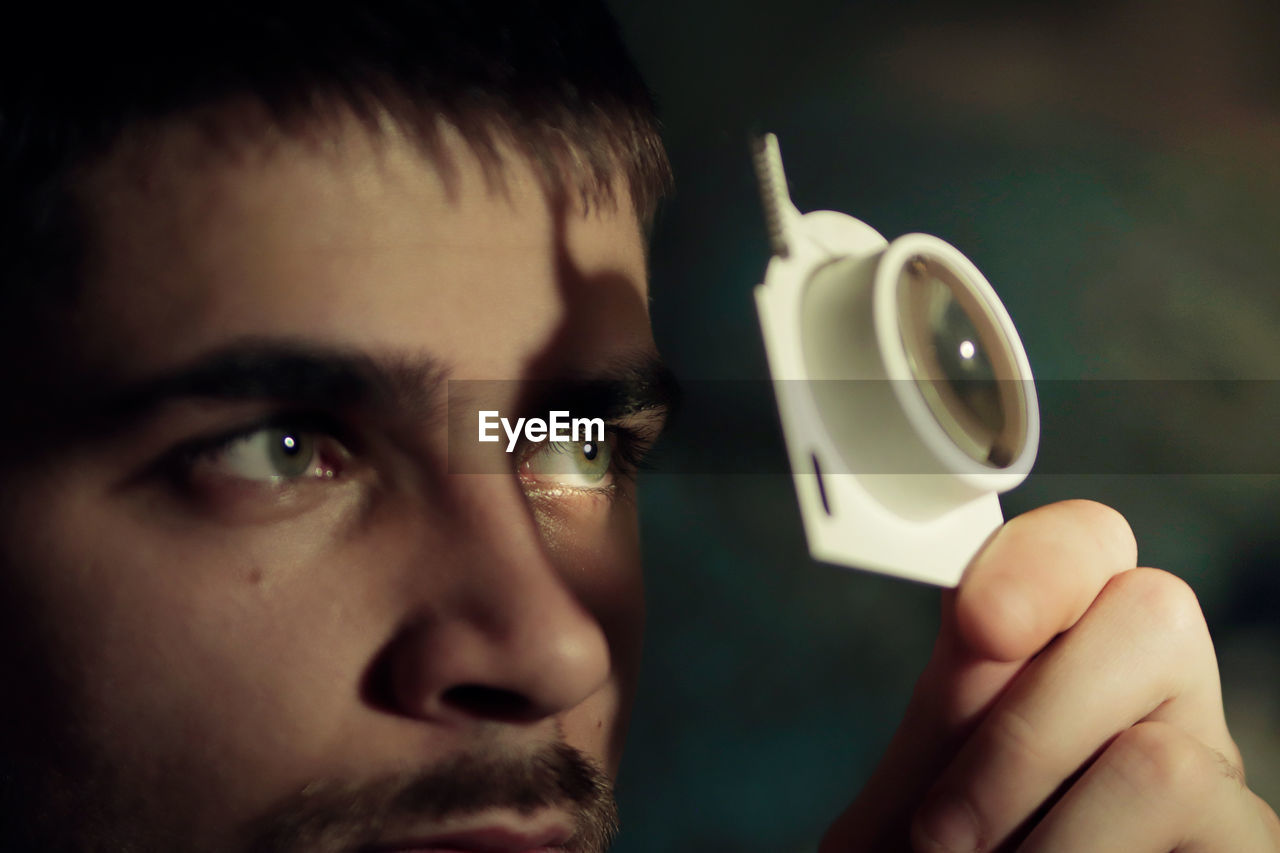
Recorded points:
(349, 816)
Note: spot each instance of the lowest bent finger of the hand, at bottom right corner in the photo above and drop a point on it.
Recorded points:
(1158, 790)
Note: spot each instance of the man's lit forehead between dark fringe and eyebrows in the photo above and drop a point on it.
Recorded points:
(354, 240)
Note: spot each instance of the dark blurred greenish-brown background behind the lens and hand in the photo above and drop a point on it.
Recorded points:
(1114, 168)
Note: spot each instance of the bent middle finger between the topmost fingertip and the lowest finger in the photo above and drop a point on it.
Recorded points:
(1159, 664)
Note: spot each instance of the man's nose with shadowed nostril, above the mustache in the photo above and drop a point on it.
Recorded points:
(499, 633)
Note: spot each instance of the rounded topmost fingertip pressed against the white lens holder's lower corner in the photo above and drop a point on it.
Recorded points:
(1039, 576)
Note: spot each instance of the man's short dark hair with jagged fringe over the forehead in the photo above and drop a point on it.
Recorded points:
(551, 77)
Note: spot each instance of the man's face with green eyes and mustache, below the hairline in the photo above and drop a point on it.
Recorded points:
(249, 600)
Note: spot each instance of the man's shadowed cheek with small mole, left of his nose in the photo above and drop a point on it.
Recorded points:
(179, 662)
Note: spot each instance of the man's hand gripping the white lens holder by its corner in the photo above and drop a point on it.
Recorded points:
(1072, 704)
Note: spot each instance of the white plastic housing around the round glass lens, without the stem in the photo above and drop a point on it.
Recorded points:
(829, 312)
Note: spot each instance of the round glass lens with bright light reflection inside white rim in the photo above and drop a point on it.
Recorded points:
(962, 362)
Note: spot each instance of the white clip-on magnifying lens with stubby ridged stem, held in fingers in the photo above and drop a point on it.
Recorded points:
(906, 395)
